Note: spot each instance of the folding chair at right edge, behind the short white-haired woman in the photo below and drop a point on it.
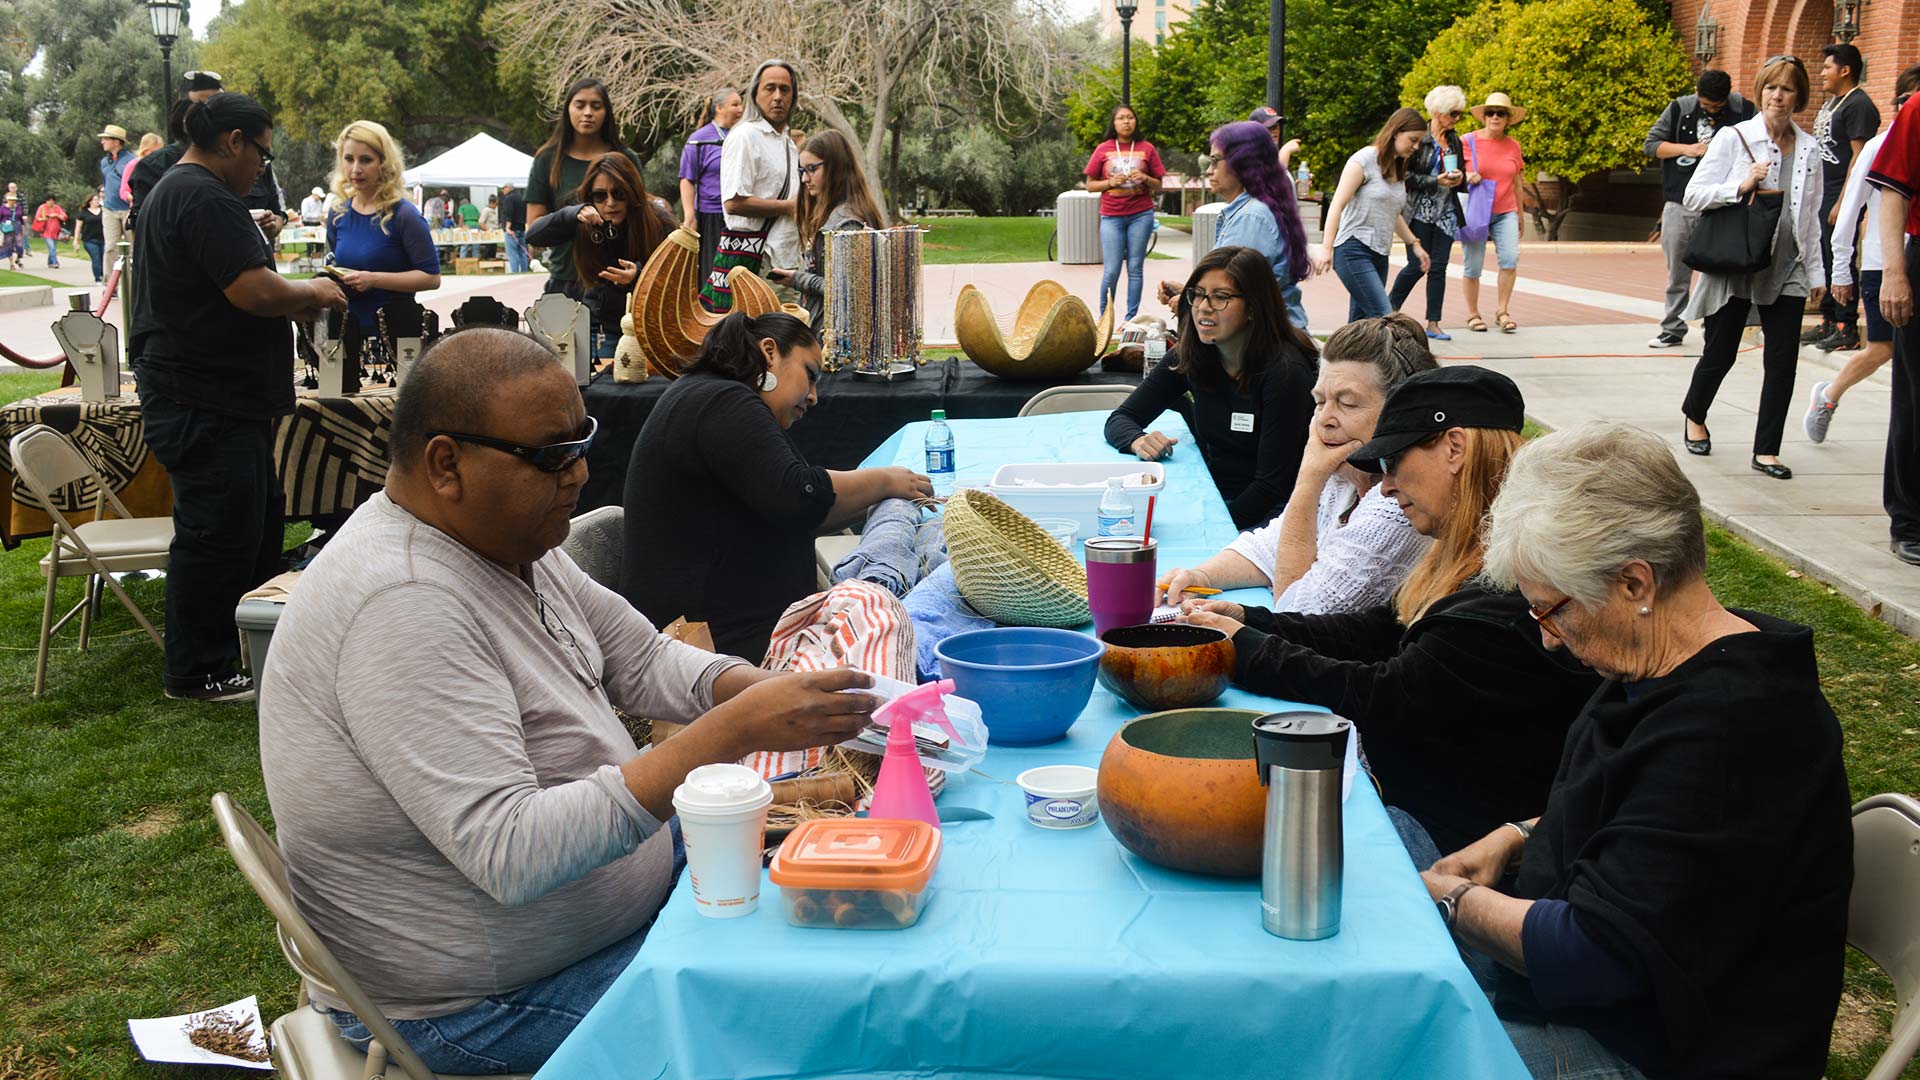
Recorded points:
(1884, 914)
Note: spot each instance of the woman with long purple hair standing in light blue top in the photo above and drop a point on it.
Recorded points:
(1262, 212)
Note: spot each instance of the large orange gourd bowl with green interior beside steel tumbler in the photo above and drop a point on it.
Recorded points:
(1182, 791)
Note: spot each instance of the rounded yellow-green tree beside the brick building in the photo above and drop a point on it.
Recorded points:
(1552, 57)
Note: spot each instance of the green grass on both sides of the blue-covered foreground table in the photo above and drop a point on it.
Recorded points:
(118, 898)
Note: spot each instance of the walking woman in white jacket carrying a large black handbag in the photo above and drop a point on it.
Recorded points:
(1748, 168)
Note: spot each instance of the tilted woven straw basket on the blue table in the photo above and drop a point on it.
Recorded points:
(1009, 568)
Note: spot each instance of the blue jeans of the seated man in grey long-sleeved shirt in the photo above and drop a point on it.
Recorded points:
(516, 1033)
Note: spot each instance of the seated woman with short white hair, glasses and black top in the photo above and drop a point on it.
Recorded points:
(1681, 904)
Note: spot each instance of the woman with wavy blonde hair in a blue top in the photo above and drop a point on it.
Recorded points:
(379, 241)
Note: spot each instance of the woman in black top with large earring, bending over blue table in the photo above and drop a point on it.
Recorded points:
(721, 506)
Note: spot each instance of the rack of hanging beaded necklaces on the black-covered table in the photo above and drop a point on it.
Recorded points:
(875, 320)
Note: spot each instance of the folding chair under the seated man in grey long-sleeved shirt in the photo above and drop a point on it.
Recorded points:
(306, 1046)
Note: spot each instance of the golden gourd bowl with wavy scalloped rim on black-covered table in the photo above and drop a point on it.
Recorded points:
(1055, 335)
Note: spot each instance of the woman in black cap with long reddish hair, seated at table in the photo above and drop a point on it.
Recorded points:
(1462, 710)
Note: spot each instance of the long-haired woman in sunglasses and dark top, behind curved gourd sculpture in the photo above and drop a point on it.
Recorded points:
(608, 237)
